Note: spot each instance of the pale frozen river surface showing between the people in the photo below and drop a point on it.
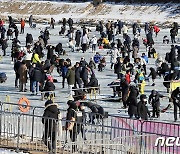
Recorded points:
(104, 78)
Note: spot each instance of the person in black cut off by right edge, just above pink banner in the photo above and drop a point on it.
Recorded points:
(176, 101)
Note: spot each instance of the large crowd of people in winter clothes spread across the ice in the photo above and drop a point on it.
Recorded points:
(34, 64)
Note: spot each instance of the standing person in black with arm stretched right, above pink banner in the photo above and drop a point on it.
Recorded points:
(154, 100)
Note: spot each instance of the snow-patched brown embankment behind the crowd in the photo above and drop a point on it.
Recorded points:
(44, 10)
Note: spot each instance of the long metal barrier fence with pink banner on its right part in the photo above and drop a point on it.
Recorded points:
(21, 127)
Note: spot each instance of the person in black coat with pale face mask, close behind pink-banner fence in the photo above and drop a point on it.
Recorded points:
(142, 109)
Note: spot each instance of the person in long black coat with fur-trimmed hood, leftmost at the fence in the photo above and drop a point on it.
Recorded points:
(50, 118)
